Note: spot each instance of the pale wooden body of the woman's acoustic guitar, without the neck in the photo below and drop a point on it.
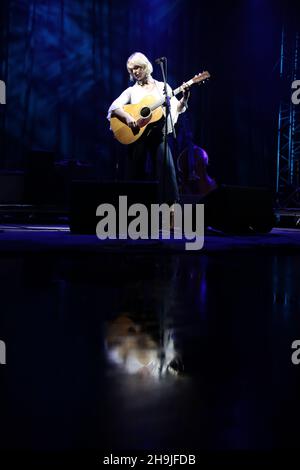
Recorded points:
(141, 113)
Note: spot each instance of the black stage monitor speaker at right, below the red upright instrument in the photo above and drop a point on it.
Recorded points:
(238, 209)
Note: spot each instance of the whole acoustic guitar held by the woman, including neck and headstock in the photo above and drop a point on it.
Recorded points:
(148, 110)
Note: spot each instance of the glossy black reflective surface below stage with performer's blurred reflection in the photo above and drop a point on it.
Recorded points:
(149, 351)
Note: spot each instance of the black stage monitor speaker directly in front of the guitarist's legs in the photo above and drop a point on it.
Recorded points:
(86, 196)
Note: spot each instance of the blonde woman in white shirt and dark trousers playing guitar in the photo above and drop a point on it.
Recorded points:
(152, 141)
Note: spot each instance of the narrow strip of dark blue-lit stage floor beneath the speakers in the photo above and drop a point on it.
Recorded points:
(37, 238)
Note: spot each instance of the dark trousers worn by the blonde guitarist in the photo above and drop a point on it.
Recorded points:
(147, 160)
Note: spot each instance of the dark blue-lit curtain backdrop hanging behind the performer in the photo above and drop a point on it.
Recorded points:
(63, 62)
